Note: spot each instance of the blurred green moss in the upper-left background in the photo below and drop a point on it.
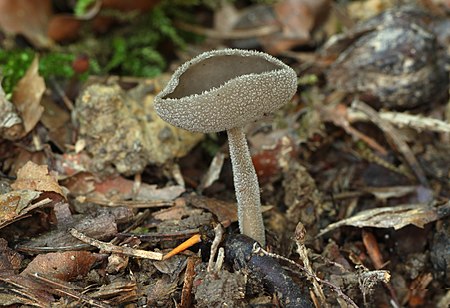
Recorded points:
(131, 50)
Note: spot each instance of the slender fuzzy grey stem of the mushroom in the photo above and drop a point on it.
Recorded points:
(246, 187)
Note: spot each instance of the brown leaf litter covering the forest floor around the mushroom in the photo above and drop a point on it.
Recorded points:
(96, 189)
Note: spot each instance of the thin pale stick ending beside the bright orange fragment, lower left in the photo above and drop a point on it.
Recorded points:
(139, 253)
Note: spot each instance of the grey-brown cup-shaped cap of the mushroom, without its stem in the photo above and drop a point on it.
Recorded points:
(224, 89)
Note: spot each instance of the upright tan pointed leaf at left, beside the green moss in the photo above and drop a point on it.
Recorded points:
(27, 96)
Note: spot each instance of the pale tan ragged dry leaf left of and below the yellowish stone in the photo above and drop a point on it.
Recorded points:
(36, 177)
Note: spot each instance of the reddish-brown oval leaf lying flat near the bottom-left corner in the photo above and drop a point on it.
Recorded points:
(61, 265)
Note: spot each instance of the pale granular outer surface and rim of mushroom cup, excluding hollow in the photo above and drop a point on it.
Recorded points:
(283, 76)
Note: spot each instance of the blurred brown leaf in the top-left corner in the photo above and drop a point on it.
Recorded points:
(29, 18)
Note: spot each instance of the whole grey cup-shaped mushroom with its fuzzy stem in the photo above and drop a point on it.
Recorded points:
(224, 90)
